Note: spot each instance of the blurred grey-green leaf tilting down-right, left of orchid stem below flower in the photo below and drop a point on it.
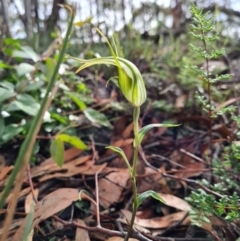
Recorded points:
(96, 117)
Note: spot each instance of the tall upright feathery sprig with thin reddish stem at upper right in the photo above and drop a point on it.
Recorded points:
(202, 29)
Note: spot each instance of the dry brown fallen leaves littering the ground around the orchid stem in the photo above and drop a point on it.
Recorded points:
(59, 189)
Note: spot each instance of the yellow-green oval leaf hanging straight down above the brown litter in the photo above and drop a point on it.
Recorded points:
(57, 151)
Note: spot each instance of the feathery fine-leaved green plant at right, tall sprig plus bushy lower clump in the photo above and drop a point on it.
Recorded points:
(224, 204)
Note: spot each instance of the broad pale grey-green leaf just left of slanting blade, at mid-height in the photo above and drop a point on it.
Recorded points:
(25, 103)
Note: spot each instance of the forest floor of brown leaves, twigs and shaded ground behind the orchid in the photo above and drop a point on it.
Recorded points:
(93, 188)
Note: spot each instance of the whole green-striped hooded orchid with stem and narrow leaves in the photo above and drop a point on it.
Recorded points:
(132, 86)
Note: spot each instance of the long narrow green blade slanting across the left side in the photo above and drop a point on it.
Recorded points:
(25, 146)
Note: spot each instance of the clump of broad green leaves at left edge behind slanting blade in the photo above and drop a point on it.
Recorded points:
(18, 89)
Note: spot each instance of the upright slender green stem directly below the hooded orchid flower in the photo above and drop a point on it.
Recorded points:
(136, 114)
